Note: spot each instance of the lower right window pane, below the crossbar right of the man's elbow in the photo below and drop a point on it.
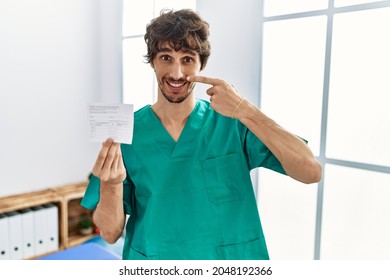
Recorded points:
(356, 214)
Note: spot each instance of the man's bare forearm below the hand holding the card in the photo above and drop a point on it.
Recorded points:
(109, 215)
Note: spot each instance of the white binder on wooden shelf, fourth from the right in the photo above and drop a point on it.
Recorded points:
(15, 235)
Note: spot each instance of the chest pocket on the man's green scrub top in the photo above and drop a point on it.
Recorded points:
(224, 177)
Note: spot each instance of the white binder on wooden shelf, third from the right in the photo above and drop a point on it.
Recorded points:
(28, 233)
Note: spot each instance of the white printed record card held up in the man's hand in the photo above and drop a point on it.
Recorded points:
(114, 121)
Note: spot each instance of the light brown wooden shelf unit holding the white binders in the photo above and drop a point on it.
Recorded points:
(67, 198)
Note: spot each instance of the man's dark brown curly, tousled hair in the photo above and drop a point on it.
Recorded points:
(182, 29)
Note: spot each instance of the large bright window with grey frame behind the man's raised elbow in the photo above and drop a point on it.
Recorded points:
(325, 67)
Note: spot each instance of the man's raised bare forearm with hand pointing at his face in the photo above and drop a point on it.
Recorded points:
(294, 155)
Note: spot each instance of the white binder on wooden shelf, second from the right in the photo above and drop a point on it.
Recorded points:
(40, 220)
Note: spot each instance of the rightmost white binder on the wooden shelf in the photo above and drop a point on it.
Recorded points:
(52, 225)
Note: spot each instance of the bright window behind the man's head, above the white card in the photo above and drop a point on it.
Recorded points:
(138, 78)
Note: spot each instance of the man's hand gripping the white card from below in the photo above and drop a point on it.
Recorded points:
(109, 167)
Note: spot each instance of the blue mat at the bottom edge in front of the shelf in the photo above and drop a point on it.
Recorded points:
(86, 251)
